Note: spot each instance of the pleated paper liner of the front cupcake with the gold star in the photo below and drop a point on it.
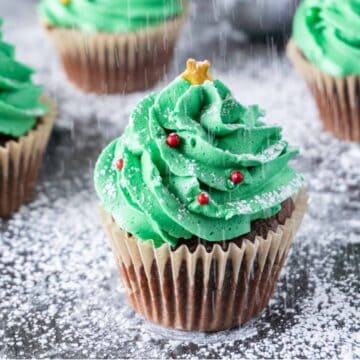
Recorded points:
(205, 291)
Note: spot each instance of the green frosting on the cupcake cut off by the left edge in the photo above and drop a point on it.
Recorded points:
(20, 103)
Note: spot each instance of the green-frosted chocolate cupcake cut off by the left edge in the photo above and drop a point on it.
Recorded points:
(26, 121)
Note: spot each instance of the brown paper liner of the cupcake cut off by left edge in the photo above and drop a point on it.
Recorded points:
(20, 162)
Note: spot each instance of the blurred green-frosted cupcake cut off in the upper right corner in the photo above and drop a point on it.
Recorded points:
(325, 48)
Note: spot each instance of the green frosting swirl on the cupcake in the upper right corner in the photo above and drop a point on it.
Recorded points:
(328, 34)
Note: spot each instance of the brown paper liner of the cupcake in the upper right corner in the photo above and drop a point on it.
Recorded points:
(337, 98)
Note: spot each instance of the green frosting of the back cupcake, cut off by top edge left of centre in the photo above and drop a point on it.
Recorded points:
(108, 15)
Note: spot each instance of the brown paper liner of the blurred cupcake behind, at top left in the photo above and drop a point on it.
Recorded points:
(116, 62)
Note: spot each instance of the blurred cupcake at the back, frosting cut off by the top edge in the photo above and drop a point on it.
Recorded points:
(113, 46)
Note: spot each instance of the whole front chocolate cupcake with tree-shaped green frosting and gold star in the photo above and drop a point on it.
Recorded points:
(200, 205)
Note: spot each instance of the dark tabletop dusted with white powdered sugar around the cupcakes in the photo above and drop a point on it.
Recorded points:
(60, 295)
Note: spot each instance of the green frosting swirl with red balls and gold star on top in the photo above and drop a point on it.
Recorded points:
(194, 162)
